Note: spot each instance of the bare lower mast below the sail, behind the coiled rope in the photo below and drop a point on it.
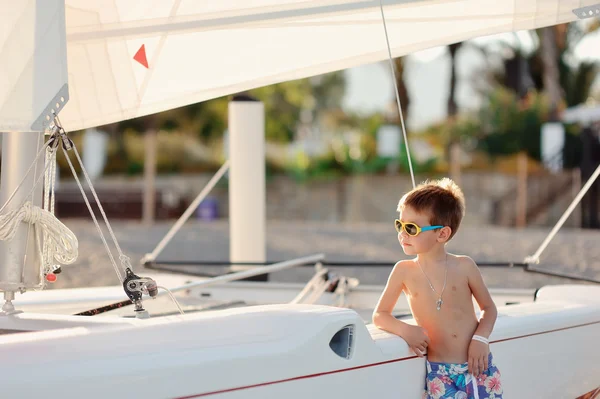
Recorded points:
(19, 260)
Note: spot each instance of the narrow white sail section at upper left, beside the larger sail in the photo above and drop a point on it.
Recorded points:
(33, 63)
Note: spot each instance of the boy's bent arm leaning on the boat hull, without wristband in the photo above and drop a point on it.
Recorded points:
(415, 336)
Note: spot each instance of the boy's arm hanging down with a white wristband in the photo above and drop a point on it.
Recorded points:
(478, 351)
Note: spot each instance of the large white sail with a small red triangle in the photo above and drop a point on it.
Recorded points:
(190, 51)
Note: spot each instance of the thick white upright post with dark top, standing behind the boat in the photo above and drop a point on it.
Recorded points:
(247, 205)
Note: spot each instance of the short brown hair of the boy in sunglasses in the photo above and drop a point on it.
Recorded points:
(442, 199)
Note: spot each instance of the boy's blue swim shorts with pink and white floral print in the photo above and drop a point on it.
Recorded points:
(452, 380)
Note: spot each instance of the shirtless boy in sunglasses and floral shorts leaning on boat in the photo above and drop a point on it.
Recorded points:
(440, 288)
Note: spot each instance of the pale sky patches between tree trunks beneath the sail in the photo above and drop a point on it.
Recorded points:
(427, 75)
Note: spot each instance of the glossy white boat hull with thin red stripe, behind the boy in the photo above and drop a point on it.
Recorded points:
(543, 349)
